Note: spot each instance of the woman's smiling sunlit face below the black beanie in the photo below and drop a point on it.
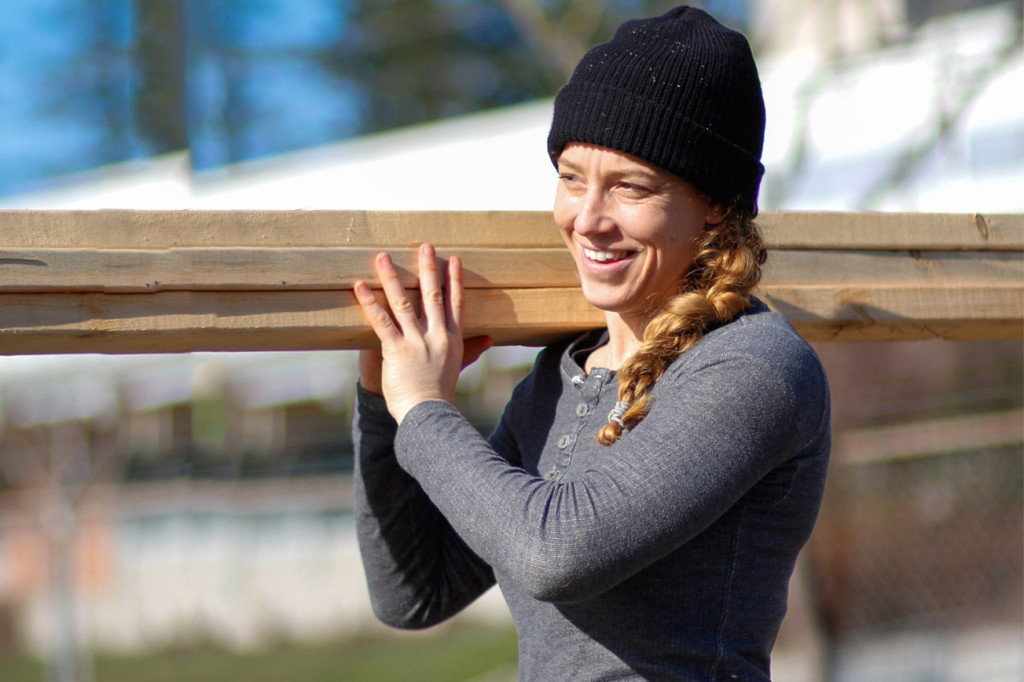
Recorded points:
(632, 228)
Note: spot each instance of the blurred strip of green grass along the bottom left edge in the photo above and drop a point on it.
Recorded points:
(453, 657)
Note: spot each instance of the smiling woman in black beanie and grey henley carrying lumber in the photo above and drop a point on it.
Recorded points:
(656, 543)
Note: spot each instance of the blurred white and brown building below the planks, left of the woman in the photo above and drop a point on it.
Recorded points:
(194, 499)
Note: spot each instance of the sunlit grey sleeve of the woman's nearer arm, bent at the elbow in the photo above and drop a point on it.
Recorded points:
(723, 418)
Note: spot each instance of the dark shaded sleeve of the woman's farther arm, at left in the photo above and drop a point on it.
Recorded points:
(419, 572)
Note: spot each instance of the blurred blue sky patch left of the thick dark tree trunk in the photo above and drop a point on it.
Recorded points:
(65, 74)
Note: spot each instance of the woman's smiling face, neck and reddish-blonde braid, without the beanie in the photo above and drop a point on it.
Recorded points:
(636, 233)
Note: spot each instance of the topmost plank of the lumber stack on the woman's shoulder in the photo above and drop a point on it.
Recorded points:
(388, 230)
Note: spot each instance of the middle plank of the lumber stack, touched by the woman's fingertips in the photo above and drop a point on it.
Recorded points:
(234, 269)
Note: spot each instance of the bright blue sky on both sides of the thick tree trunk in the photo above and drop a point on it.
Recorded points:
(67, 70)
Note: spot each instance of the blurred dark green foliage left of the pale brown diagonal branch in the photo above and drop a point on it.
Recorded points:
(414, 61)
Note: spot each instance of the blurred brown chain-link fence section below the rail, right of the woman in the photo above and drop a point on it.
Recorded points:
(932, 542)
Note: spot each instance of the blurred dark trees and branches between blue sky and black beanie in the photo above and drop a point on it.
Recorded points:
(415, 61)
